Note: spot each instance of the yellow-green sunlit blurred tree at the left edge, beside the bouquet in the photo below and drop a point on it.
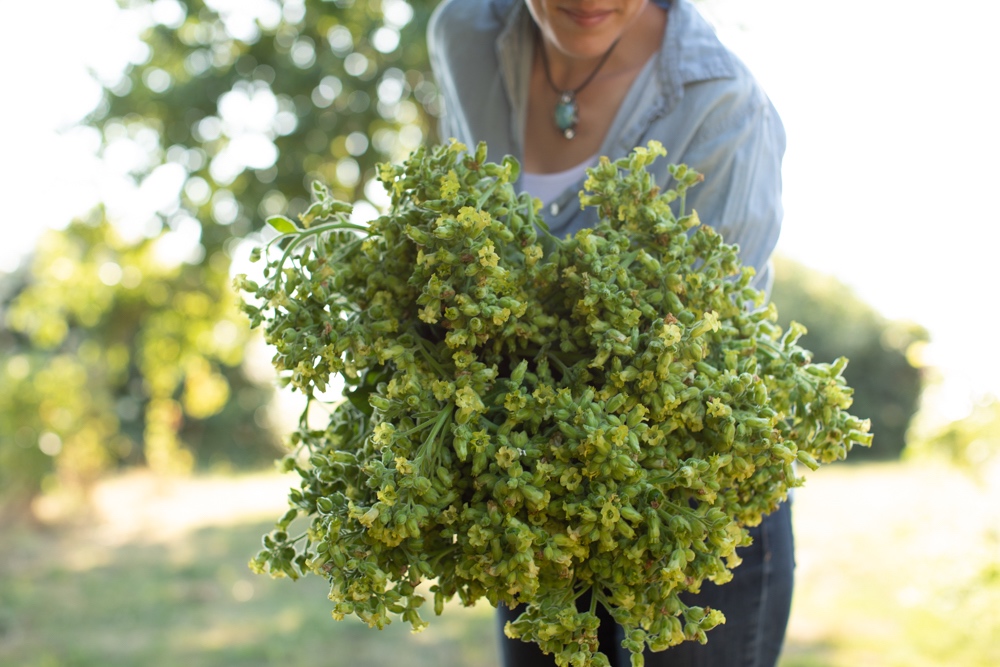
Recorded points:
(119, 353)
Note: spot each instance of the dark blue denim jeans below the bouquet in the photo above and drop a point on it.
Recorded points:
(756, 604)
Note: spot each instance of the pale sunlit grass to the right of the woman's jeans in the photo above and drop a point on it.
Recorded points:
(897, 567)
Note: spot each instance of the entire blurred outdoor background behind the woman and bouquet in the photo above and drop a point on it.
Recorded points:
(144, 143)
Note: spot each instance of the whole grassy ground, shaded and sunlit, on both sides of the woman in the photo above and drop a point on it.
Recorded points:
(892, 572)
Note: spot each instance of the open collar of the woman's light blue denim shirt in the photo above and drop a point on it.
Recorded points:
(691, 52)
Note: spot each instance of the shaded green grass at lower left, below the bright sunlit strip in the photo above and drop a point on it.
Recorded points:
(195, 603)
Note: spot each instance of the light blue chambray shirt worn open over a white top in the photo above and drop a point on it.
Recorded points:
(694, 96)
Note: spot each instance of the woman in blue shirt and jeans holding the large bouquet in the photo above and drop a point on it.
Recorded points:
(557, 83)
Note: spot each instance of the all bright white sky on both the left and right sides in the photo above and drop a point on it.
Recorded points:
(891, 172)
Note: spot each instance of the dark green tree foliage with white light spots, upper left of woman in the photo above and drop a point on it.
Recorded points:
(255, 102)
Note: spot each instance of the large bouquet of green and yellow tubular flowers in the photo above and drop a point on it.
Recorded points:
(529, 419)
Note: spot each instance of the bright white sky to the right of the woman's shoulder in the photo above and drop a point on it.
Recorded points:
(891, 174)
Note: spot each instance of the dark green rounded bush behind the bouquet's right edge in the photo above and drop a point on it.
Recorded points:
(883, 371)
